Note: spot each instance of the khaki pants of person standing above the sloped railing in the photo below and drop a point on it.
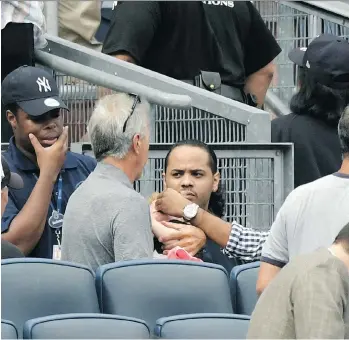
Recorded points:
(79, 22)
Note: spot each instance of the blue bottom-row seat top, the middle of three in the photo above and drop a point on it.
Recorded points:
(85, 326)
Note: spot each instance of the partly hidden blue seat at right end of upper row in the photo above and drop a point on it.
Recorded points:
(243, 280)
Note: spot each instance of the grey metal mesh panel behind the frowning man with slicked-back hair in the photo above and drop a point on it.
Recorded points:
(255, 179)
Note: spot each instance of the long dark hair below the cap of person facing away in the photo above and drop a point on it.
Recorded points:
(317, 100)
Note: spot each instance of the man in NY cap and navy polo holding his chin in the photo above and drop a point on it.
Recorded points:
(38, 152)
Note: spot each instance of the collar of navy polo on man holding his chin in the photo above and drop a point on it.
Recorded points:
(23, 163)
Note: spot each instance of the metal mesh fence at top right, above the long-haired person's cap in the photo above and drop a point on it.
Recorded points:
(295, 25)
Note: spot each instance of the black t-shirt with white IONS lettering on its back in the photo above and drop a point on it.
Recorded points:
(180, 38)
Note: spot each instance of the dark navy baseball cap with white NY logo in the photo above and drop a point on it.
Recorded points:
(33, 89)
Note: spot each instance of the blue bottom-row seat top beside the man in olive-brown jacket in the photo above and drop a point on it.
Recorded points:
(203, 326)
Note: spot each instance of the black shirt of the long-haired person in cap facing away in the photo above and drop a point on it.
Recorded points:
(316, 146)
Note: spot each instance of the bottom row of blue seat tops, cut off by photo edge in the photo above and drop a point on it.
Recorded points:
(103, 326)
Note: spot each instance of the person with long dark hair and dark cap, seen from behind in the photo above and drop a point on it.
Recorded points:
(316, 108)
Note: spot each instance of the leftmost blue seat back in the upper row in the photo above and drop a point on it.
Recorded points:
(32, 288)
